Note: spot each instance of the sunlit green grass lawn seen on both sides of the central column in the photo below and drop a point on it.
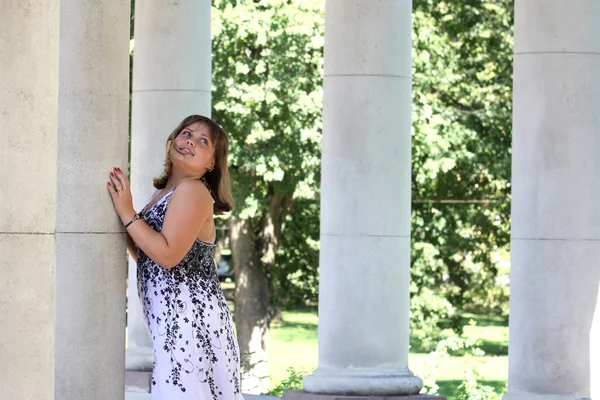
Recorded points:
(293, 344)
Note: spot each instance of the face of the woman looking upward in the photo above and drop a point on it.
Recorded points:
(193, 150)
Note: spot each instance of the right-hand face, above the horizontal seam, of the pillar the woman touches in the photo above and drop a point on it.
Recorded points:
(93, 115)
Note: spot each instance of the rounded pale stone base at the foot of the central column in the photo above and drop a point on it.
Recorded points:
(363, 382)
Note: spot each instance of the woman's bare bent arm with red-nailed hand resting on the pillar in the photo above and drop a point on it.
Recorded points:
(189, 208)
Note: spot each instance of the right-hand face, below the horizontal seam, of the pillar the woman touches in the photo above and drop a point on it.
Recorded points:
(90, 317)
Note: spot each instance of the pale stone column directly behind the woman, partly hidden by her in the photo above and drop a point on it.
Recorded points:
(171, 80)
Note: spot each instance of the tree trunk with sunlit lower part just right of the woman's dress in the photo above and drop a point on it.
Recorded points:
(251, 306)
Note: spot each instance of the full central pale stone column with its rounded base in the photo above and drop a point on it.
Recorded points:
(365, 201)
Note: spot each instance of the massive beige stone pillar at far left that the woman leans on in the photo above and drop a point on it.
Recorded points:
(62, 287)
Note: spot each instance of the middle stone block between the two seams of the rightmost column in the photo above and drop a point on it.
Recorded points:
(555, 151)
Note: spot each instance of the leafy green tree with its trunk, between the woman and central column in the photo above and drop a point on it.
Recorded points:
(267, 94)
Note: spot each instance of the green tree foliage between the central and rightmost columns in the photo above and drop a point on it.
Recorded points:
(462, 105)
